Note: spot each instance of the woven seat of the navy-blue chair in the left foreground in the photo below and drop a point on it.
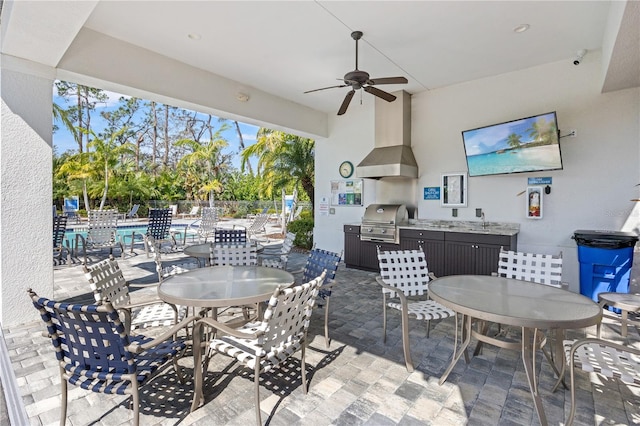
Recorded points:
(111, 382)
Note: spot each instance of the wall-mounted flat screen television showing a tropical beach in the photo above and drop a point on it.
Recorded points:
(530, 144)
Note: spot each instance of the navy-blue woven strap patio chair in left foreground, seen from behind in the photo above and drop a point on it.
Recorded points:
(95, 352)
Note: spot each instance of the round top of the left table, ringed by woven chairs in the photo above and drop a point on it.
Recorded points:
(221, 286)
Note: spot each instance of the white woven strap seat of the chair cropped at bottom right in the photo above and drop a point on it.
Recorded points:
(594, 357)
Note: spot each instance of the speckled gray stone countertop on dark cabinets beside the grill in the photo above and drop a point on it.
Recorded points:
(471, 227)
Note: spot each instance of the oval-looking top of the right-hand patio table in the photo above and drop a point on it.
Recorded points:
(514, 302)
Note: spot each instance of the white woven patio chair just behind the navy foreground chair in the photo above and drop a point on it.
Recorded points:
(143, 310)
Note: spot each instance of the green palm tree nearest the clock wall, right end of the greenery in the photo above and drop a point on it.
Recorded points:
(283, 160)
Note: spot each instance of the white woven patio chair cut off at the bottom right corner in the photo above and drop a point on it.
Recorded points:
(593, 355)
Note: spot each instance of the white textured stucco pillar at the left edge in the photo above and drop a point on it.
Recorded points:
(25, 206)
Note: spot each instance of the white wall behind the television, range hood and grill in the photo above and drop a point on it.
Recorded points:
(593, 191)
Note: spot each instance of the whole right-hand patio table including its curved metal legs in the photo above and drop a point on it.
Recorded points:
(517, 303)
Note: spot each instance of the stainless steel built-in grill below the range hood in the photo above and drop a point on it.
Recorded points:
(380, 222)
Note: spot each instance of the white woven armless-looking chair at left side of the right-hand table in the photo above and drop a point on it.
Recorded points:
(403, 274)
